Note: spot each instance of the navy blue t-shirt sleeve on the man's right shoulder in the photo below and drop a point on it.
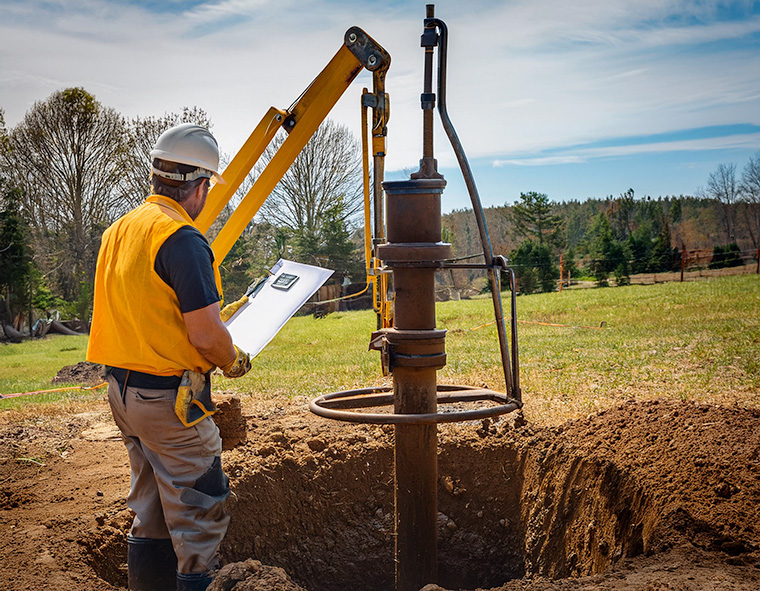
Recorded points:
(185, 263)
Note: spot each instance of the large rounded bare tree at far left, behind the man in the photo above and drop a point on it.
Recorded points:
(68, 157)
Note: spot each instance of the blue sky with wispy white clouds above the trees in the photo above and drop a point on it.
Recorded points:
(573, 99)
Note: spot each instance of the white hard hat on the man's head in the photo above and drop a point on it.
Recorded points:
(188, 144)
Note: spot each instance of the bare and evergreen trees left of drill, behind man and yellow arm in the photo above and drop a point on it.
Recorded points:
(72, 166)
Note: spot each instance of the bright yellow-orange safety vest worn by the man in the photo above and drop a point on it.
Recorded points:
(136, 319)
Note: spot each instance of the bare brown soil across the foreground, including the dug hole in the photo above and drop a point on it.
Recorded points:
(646, 496)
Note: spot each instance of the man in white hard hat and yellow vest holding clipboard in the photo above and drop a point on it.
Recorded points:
(156, 328)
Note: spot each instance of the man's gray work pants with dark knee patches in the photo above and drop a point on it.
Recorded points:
(178, 486)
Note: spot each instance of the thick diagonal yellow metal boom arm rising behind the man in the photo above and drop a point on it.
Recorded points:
(300, 121)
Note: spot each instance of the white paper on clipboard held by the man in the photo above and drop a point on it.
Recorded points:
(257, 322)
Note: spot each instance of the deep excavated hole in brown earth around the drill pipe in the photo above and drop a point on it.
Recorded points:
(323, 511)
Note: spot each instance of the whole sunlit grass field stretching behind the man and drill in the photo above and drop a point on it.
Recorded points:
(696, 340)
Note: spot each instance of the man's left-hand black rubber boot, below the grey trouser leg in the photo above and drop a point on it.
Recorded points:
(151, 564)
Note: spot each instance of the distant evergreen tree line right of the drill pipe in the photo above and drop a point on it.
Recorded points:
(618, 237)
